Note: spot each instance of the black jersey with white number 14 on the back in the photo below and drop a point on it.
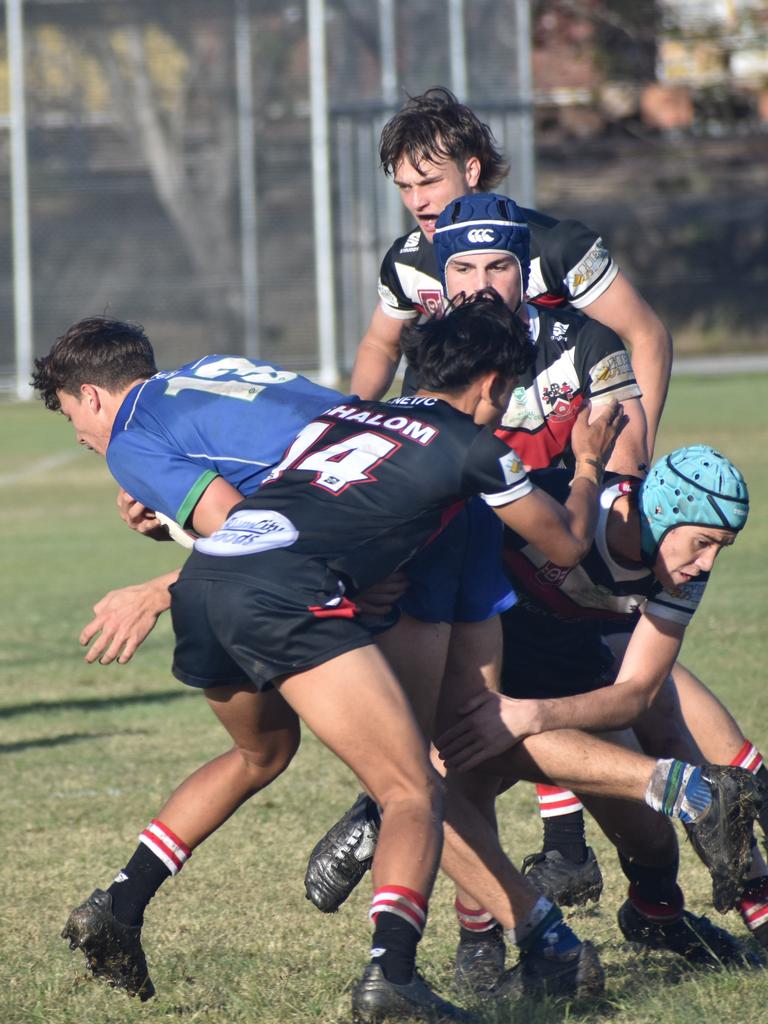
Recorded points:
(365, 487)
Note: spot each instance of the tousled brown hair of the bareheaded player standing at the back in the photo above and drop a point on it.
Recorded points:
(436, 126)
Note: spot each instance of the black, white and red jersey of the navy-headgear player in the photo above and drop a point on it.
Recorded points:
(577, 360)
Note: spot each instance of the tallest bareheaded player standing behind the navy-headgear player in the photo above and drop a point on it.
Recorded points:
(437, 150)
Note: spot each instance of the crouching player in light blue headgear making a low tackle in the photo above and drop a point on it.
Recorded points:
(653, 557)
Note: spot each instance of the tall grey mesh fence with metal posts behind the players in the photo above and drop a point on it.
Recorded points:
(169, 147)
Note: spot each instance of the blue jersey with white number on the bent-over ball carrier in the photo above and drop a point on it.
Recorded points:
(221, 416)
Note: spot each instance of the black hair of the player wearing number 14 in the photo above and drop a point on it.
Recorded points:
(477, 336)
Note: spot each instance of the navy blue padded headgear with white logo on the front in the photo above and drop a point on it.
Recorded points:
(483, 223)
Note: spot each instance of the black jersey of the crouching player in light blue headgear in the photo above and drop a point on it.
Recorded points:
(600, 588)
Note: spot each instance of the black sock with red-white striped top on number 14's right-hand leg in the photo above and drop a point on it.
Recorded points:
(399, 915)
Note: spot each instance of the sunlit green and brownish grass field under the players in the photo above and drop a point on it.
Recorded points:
(90, 754)
